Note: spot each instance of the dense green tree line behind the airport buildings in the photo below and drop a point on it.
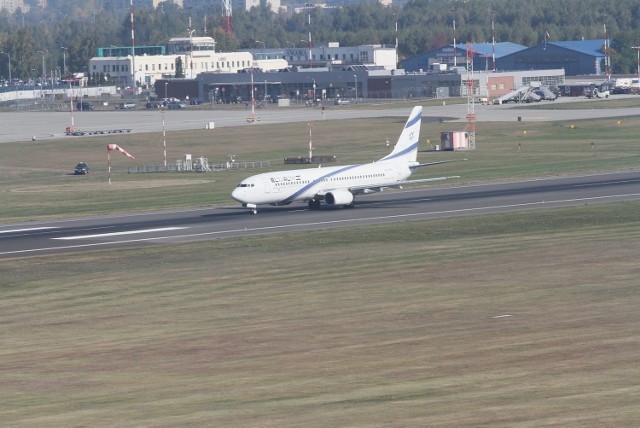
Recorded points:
(68, 32)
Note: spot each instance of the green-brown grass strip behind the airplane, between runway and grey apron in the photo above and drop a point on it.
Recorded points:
(35, 180)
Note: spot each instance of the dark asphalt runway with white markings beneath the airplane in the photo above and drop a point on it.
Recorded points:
(228, 222)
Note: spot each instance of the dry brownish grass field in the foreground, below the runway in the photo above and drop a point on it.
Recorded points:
(310, 330)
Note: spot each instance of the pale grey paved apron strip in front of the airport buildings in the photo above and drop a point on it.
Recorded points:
(21, 126)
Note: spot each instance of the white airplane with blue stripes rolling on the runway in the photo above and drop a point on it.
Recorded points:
(338, 185)
